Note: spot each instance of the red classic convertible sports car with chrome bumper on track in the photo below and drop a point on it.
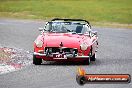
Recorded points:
(66, 40)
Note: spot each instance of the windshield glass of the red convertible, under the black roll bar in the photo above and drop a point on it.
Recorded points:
(65, 27)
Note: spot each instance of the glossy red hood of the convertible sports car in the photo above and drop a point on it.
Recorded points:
(68, 40)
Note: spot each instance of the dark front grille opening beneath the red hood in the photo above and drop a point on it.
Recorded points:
(61, 49)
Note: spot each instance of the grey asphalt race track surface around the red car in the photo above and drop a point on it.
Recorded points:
(114, 56)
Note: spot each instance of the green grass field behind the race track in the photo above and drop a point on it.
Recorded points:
(118, 11)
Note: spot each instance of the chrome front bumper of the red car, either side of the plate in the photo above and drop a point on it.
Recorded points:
(67, 55)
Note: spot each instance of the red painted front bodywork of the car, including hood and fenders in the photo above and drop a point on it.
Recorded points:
(69, 40)
